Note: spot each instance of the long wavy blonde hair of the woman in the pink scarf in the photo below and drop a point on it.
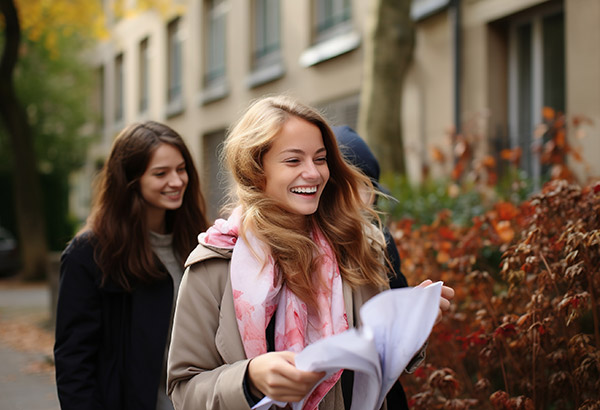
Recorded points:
(344, 219)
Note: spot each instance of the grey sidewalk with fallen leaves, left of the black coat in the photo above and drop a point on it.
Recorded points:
(26, 340)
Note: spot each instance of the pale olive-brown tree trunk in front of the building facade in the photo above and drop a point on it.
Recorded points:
(388, 51)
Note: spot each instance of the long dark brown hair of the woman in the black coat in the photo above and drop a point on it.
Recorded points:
(118, 218)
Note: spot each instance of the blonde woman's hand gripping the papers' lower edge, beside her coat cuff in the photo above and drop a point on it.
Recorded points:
(274, 374)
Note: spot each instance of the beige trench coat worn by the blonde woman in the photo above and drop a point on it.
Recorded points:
(207, 363)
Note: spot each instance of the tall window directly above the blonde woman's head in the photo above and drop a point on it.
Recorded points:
(266, 43)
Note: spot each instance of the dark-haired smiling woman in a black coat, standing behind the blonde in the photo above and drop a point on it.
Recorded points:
(120, 275)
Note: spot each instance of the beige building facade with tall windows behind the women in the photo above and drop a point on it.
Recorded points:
(196, 64)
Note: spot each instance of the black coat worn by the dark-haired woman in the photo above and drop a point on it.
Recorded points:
(110, 344)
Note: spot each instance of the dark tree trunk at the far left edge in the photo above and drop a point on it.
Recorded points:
(27, 190)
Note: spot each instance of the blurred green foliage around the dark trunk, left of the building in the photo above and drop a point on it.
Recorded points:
(54, 87)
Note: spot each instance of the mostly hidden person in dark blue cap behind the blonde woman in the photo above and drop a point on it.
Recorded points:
(356, 151)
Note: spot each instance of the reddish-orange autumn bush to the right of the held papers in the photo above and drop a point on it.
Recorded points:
(524, 330)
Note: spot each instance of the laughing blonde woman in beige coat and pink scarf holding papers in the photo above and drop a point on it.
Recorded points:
(294, 263)
